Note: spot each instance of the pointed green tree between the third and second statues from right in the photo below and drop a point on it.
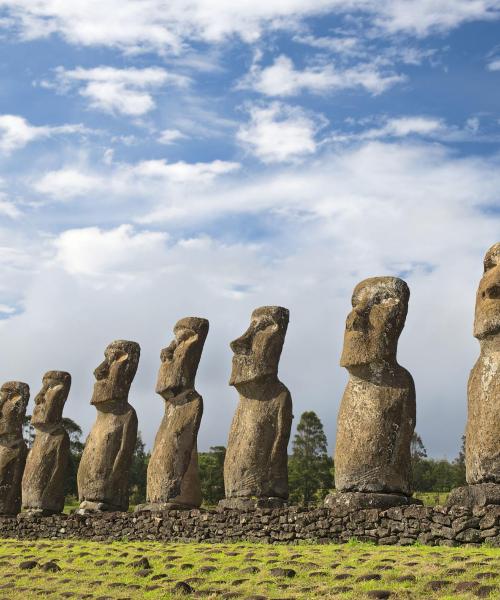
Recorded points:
(309, 466)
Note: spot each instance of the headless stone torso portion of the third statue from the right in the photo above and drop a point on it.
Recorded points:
(256, 456)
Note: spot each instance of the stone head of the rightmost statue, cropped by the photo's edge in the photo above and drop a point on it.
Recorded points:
(487, 318)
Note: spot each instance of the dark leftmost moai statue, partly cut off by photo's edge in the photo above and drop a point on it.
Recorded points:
(14, 397)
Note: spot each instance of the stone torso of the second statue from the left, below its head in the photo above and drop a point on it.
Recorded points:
(44, 475)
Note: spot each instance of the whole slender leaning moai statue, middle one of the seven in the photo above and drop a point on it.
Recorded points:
(173, 481)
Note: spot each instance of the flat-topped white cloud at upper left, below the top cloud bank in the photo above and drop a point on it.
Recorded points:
(126, 91)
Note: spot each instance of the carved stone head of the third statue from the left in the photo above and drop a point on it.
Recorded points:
(115, 374)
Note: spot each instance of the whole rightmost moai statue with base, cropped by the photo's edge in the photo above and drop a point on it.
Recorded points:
(482, 440)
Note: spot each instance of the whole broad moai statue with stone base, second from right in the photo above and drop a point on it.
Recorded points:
(377, 414)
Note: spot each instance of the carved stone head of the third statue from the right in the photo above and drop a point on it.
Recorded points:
(257, 352)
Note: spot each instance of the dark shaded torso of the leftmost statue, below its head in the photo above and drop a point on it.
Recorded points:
(12, 461)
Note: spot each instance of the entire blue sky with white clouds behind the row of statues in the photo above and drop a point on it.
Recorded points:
(162, 159)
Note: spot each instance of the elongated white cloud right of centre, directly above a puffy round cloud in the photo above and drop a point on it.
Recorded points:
(283, 79)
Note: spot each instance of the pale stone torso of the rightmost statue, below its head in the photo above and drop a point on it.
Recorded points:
(483, 423)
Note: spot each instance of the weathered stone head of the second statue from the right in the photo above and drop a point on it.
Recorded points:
(379, 307)
